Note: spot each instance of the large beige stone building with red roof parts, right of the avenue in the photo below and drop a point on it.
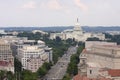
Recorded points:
(100, 59)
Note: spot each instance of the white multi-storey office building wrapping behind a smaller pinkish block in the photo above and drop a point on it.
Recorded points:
(28, 52)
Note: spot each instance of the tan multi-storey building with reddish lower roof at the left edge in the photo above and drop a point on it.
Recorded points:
(6, 58)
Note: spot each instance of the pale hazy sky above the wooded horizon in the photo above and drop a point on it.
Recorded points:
(44, 13)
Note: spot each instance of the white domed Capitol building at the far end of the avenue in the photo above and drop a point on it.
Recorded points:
(76, 33)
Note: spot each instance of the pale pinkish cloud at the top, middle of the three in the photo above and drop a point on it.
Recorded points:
(52, 4)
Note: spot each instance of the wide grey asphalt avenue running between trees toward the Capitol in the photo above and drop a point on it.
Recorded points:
(58, 71)
